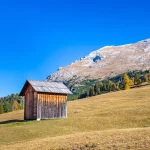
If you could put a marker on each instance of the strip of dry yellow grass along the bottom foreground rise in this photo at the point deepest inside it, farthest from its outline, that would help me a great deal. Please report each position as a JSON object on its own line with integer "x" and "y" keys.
{"x": 136, "y": 138}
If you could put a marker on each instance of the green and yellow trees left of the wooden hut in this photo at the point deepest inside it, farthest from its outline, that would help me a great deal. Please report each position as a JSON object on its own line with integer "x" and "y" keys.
{"x": 10, "y": 103}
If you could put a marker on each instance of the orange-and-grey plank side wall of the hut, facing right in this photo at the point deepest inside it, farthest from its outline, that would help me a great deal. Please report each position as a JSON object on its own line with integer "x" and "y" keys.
{"x": 51, "y": 106}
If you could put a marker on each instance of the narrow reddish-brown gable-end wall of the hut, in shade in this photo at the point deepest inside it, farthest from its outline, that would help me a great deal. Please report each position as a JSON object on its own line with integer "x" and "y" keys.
{"x": 30, "y": 110}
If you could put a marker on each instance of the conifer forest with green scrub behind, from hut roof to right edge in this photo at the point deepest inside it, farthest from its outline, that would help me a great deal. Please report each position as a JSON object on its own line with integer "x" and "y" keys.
{"x": 125, "y": 81}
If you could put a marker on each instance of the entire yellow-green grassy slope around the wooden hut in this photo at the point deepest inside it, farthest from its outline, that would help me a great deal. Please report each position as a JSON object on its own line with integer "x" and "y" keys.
{"x": 110, "y": 121}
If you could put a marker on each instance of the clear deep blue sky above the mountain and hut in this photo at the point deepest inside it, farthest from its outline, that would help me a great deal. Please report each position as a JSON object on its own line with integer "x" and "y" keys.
{"x": 36, "y": 37}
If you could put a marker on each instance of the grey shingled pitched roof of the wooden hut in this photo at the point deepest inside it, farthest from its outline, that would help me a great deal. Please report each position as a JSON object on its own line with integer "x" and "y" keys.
{"x": 46, "y": 87}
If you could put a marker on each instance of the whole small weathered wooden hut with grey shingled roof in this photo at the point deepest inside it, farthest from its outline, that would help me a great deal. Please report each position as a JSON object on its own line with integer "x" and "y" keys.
{"x": 44, "y": 100}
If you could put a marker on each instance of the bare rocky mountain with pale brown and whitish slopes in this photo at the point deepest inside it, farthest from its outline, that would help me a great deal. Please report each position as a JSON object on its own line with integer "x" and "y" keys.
{"x": 108, "y": 61}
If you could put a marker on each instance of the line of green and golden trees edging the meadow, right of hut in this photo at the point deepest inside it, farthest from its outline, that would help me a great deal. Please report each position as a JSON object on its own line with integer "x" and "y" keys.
{"x": 121, "y": 82}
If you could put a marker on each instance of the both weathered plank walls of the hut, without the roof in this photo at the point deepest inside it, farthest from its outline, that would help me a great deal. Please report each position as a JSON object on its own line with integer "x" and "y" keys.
{"x": 44, "y": 105}
